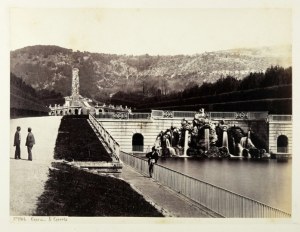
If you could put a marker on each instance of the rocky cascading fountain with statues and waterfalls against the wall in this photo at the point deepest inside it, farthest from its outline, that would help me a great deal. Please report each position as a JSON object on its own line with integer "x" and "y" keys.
{"x": 204, "y": 139}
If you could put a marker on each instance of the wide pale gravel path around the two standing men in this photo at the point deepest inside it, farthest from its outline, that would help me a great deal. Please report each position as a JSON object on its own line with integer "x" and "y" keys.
{"x": 27, "y": 178}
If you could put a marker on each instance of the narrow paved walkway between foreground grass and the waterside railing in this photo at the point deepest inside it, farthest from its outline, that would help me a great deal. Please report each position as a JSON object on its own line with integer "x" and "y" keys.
{"x": 168, "y": 201}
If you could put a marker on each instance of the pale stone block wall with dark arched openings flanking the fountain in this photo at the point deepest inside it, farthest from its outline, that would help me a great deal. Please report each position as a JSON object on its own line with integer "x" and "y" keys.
{"x": 123, "y": 131}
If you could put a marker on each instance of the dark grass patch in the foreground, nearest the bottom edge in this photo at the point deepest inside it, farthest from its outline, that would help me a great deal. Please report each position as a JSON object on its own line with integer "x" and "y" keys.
{"x": 73, "y": 192}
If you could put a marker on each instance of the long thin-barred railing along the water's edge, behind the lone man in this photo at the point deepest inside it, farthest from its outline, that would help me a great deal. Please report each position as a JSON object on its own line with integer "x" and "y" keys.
{"x": 219, "y": 200}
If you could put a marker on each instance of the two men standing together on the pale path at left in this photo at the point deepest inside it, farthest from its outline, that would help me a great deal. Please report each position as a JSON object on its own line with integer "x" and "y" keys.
{"x": 30, "y": 141}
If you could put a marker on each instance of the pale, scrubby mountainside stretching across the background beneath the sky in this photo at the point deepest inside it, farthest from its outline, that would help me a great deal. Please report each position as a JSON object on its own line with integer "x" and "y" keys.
{"x": 102, "y": 75}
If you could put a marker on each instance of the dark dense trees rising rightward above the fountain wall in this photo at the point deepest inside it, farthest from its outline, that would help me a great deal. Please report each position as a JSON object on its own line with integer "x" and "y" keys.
{"x": 274, "y": 86}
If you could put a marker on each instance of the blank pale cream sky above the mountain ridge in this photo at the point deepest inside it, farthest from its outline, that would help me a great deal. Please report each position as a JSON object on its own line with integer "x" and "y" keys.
{"x": 160, "y": 31}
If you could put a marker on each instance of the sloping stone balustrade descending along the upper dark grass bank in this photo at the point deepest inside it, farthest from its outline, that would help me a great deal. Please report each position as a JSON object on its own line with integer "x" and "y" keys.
{"x": 108, "y": 139}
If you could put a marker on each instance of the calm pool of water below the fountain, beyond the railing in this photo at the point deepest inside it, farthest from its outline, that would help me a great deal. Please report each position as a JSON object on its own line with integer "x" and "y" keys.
{"x": 266, "y": 181}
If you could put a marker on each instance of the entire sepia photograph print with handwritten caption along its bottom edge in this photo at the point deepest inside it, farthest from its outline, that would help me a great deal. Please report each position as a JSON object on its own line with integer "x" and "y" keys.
{"x": 149, "y": 113}
